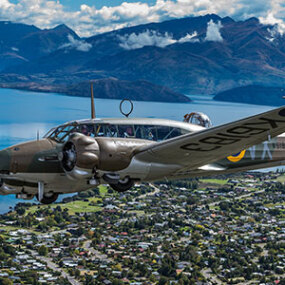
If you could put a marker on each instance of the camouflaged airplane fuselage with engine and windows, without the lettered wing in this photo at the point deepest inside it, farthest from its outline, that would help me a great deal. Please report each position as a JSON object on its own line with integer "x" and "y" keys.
{"x": 93, "y": 158}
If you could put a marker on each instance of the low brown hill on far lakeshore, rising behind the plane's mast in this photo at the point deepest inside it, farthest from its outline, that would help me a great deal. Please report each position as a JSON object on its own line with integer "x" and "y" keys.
{"x": 108, "y": 88}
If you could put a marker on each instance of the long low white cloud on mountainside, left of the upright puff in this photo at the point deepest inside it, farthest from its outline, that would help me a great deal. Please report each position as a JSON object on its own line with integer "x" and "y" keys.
{"x": 152, "y": 38}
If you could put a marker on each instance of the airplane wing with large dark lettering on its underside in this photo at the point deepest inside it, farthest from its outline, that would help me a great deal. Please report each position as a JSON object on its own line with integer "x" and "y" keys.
{"x": 195, "y": 150}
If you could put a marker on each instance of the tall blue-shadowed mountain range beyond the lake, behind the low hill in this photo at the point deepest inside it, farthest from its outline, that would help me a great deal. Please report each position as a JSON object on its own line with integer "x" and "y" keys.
{"x": 198, "y": 55}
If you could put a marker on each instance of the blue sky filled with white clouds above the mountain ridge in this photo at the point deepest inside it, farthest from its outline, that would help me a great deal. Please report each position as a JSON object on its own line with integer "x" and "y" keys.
{"x": 90, "y": 17}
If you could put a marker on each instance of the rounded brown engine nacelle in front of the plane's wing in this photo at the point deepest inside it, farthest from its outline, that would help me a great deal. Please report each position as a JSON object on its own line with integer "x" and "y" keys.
{"x": 82, "y": 154}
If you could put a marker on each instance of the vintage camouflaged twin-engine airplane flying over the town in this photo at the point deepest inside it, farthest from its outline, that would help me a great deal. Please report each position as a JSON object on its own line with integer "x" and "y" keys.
{"x": 77, "y": 155}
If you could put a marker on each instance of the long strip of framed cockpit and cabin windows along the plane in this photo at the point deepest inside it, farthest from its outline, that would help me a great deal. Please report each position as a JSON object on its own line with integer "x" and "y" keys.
{"x": 147, "y": 132}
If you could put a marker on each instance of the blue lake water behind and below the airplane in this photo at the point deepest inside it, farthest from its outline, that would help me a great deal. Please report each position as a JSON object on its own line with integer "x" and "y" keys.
{"x": 23, "y": 114}
